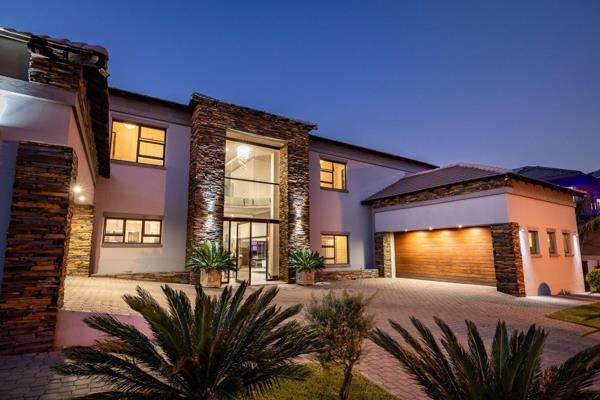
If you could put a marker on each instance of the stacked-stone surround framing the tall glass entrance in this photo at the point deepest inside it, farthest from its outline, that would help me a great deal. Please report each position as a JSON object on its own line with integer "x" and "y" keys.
{"x": 211, "y": 119}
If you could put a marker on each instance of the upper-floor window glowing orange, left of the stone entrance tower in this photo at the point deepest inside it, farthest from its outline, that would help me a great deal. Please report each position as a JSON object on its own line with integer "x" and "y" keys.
{"x": 137, "y": 143}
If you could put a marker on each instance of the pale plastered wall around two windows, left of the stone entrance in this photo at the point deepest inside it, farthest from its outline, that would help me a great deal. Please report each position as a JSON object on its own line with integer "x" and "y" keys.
{"x": 145, "y": 191}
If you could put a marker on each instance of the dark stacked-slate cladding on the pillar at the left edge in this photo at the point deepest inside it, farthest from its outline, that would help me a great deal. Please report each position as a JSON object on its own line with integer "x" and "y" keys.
{"x": 34, "y": 266}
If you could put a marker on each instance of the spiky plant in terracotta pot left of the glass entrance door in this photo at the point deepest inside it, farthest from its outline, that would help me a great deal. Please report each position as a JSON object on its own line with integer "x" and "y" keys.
{"x": 210, "y": 259}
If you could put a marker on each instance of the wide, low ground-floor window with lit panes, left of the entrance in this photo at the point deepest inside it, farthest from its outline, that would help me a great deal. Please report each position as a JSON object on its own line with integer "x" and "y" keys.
{"x": 131, "y": 230}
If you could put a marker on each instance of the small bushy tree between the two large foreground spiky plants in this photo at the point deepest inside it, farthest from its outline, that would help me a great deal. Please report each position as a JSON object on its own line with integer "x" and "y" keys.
{"x": 342, "y": 323}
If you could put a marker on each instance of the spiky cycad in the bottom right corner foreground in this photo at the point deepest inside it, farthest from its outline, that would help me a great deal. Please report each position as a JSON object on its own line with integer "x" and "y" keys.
{"x": 510, "y": 370}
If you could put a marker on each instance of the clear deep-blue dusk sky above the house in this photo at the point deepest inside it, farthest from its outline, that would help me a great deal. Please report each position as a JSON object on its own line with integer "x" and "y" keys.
{"x": 501, "y": 83}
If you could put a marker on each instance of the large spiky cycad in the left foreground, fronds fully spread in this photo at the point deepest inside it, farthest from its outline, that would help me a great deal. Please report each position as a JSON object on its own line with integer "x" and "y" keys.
{"x": 222, "y": 348}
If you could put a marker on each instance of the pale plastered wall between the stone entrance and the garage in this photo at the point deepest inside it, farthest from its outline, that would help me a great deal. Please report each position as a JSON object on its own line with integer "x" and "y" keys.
{"x": 342, "y": 212}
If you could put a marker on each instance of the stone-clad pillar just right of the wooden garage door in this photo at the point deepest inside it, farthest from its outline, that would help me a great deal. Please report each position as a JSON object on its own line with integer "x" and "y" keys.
{"x": 507, "y": 259}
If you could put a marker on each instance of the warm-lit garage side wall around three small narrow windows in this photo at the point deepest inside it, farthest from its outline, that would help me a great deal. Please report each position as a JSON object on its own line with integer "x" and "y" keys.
{"x": 545, "y": 272}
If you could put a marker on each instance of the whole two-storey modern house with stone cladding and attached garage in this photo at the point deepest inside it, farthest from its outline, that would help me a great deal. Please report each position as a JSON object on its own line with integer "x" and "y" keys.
{"x": 98, "y": 181}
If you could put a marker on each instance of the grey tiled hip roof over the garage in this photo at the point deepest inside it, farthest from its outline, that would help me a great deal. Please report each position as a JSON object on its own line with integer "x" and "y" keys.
{"x": 450, "y": 175}
